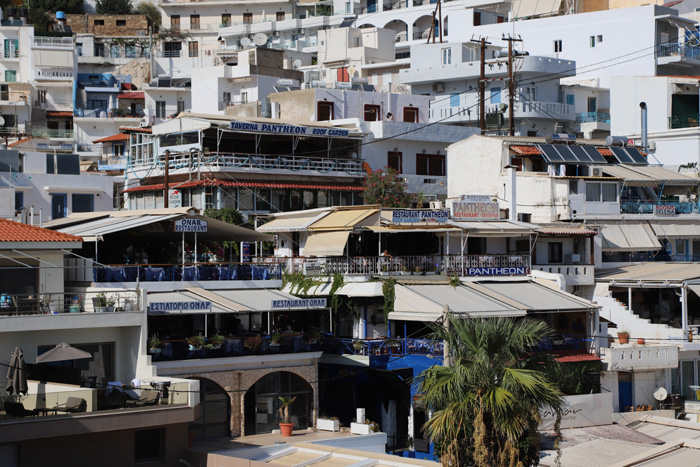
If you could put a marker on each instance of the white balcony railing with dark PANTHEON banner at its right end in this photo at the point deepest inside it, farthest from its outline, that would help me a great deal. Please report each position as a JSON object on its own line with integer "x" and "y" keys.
{"x": 412, "y": 265}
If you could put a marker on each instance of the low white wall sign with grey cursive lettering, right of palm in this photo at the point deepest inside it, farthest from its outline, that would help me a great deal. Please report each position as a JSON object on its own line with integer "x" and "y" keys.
{"x": 580, "y": 411}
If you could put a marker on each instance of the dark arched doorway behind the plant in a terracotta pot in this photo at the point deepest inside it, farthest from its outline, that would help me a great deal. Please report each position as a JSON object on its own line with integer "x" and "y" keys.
{"x": 261, "y": 402}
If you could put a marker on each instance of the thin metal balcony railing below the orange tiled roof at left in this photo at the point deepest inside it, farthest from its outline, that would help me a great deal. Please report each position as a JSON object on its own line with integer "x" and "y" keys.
{"x": 69, "y": 302}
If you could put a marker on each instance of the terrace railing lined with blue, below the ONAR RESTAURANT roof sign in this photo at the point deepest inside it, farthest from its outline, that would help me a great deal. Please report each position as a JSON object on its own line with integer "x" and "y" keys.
{"x": 193, "y": 272}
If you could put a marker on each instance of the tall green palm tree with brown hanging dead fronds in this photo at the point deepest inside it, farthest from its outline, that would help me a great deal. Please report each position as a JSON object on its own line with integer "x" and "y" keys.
{"x": 485, "y": 405}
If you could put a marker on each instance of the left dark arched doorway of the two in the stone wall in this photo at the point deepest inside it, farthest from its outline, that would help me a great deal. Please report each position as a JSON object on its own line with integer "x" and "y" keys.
{"x": 214, "y": 420}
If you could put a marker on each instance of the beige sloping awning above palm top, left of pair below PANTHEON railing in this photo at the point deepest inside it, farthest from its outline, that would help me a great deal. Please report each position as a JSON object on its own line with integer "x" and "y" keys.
{"x": 425, "y": 303}
